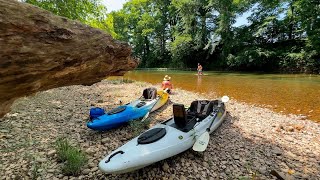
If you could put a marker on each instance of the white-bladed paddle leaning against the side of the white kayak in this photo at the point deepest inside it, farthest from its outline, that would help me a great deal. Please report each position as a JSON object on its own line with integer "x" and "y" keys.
{"x": 202, "y": 142}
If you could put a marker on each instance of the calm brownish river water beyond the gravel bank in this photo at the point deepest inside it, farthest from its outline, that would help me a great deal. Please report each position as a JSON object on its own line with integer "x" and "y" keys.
{"x": 287, "y": 93}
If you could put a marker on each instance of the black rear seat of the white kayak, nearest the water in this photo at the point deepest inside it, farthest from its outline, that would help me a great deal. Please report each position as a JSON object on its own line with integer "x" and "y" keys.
{"x": 201, "y": 109}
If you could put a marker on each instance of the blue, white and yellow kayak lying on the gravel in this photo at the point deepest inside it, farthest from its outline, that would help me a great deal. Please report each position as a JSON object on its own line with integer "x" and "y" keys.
{"x": 150, "y": 101}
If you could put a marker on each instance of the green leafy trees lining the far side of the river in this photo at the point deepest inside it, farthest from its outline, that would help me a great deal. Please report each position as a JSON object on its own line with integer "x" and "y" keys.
{"x": 281, "y": 35}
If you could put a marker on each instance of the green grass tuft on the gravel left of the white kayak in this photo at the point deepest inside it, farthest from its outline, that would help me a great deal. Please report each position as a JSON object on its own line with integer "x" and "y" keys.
{"x": 72, "y": 157}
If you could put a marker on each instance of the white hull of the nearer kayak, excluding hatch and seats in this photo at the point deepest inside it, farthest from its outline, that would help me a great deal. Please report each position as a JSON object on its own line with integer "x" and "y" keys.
{"x": 175, "y": 141}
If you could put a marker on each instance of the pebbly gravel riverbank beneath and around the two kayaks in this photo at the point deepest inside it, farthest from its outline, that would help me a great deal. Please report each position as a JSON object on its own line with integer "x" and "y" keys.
{"x": 250, "y": 143}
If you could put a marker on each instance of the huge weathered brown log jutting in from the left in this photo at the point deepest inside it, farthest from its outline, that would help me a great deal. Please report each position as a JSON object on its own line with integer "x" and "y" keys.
{"x": 40, "y": 51}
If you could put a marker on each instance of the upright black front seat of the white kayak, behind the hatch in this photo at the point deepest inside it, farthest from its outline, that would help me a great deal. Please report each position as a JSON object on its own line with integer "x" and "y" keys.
{"x": 183, "y": 121}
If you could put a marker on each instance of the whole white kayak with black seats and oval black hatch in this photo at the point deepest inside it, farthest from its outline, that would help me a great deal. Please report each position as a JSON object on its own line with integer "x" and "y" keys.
{"x": 167, "y": 139}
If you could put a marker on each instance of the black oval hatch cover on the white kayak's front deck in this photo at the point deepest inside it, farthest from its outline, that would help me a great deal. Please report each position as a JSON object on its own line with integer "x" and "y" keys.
{"x": 152, "y": 135}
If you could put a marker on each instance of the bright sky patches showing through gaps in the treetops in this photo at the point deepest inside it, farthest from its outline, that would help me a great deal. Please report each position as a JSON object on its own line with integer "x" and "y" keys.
{"x": 113, "y": 5}
